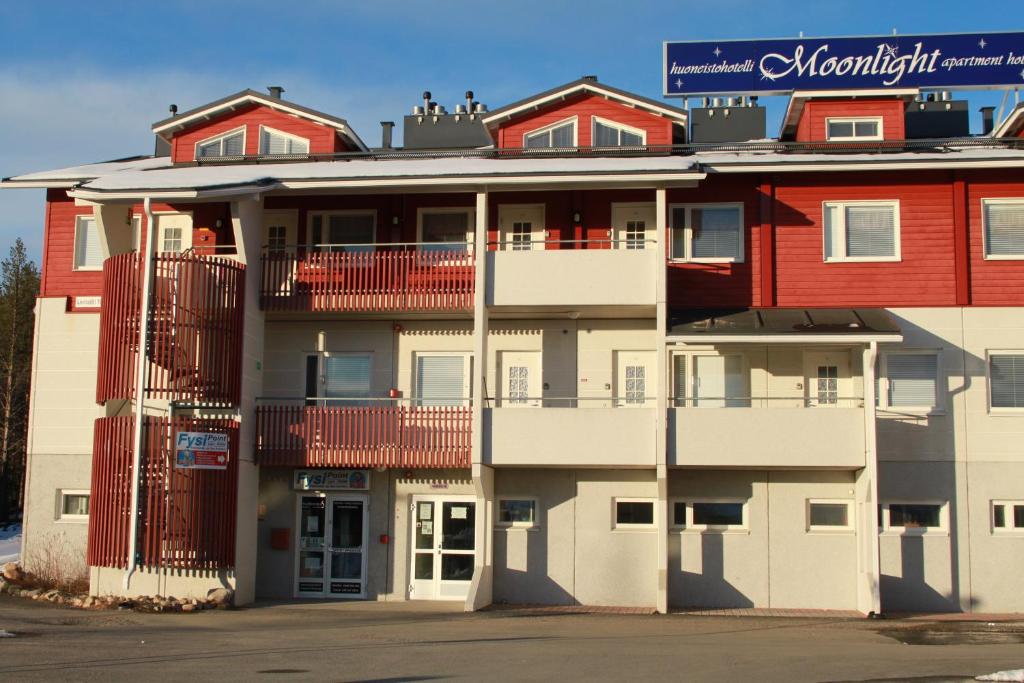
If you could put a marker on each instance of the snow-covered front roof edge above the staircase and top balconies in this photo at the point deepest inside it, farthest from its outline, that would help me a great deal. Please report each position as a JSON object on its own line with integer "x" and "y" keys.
{"x": 437, "y": 172}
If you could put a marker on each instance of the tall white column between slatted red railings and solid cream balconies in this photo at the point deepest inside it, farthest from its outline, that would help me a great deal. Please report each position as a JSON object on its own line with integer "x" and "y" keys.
{"x": 482, "y": 589}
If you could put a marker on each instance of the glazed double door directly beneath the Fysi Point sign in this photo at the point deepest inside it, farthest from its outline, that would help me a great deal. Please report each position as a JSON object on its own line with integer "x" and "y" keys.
{"x": 332, "y": 546}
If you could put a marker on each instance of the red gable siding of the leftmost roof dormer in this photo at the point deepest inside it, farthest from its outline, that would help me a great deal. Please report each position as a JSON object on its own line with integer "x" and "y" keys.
{"x": 322, "y": 138}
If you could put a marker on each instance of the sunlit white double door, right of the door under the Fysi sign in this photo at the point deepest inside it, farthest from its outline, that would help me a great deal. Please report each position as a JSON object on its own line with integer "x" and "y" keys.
{"x": 444, "y": 547}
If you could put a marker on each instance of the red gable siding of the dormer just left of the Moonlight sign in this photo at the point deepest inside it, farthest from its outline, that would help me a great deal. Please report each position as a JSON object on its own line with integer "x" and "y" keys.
{"x": 585, "y": 107}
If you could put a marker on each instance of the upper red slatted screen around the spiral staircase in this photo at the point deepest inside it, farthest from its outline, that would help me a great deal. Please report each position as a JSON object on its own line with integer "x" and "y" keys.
{"x": 195, "y": 341}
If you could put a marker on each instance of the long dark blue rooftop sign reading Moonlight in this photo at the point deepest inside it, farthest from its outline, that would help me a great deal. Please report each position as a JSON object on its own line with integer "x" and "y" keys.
{"x": 782, "y": 66}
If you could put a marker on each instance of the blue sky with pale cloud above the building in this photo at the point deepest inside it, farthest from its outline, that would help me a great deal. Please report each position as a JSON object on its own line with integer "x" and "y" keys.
{"x": 83, "y": 81}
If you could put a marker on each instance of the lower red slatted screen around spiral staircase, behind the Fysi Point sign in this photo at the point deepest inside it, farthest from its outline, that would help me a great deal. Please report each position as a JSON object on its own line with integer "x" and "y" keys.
{"x": 187, "y": 518}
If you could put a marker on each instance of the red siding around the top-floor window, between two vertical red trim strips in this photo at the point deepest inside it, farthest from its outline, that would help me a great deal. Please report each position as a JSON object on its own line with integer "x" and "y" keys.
{"x": 924, "y": 277}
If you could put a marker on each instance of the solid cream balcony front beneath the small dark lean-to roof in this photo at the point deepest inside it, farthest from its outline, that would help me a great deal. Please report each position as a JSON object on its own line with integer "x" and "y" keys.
{"x": 767, "y": 434}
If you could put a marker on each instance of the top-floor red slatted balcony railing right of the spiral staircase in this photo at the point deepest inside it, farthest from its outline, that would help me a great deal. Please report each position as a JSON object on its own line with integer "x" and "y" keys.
{"x": 370, "y": 281}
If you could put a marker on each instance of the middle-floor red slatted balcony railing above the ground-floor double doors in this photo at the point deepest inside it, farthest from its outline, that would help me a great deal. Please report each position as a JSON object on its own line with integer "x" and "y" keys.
{"x": 385, "y": 436}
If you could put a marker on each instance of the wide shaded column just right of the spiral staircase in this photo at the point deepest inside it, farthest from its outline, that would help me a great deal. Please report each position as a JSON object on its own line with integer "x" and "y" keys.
{"x": 247, "y": 224}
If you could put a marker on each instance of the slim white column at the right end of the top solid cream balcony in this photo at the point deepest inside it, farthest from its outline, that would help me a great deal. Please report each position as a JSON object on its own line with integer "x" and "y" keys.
{"x": 662, "y": 399}
